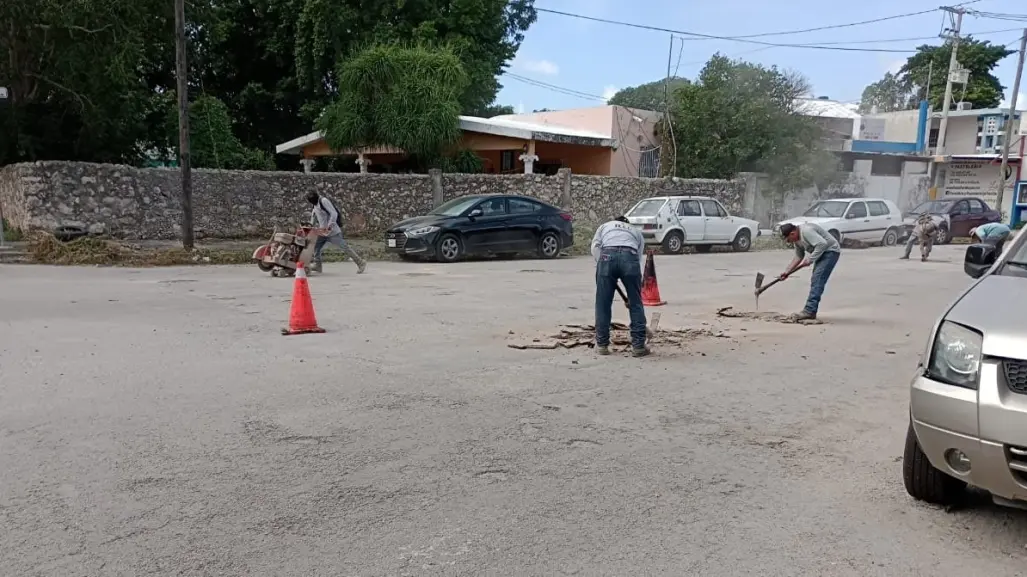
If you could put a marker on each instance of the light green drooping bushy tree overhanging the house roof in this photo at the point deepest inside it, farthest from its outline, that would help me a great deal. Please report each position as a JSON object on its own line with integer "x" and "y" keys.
{"x": 406, "y": 97}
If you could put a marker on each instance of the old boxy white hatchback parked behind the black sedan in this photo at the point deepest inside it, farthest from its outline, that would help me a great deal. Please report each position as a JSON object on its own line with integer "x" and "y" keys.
{"x": 675, "y": 222}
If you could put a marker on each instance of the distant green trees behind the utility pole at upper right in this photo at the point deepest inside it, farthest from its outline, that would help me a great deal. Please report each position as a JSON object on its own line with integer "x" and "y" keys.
{"x": 905, "y": 90}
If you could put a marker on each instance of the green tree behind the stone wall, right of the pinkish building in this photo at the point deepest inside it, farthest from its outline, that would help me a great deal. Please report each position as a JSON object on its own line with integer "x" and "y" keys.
{"x": 743, "y": 118}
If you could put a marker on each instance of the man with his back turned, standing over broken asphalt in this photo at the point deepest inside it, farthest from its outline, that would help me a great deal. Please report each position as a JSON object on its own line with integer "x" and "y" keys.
{"x": 619, "y": 250}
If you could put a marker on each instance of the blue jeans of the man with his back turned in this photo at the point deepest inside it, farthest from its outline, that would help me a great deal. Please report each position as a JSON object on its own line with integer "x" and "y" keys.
{"x": 620, "y": 265}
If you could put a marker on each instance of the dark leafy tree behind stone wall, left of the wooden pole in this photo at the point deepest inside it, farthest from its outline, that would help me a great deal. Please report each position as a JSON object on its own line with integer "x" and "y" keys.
{"x": 73, "y": 73}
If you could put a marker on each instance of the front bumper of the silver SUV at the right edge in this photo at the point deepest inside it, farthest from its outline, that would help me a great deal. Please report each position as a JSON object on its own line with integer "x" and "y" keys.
{"x": 947, "y": 418}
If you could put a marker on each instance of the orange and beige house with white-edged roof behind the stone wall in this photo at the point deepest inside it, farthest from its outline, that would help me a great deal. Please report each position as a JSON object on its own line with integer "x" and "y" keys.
{"x": 606, "y": 141}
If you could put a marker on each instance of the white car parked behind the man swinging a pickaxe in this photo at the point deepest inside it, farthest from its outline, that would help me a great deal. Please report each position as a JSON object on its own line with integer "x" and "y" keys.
{"x": 866, "y": 220}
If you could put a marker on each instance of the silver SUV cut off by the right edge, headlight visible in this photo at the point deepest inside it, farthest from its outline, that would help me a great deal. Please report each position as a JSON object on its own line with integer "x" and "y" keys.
{"x": 969, "y": 396}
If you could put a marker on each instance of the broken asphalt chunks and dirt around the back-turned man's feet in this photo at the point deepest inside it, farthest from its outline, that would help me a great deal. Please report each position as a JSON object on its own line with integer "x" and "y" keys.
{"x": 573, "y": 336}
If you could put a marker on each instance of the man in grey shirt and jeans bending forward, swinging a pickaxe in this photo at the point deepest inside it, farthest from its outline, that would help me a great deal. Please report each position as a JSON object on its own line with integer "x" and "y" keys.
{"x": 815, "y": 247}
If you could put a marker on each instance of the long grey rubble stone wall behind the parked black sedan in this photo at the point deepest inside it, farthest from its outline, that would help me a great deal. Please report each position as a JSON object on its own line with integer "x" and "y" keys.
{"x": 144, "y": 203}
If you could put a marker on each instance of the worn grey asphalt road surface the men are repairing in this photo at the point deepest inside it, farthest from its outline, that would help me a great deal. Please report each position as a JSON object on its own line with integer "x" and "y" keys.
{"x": 155, "y": 422}
